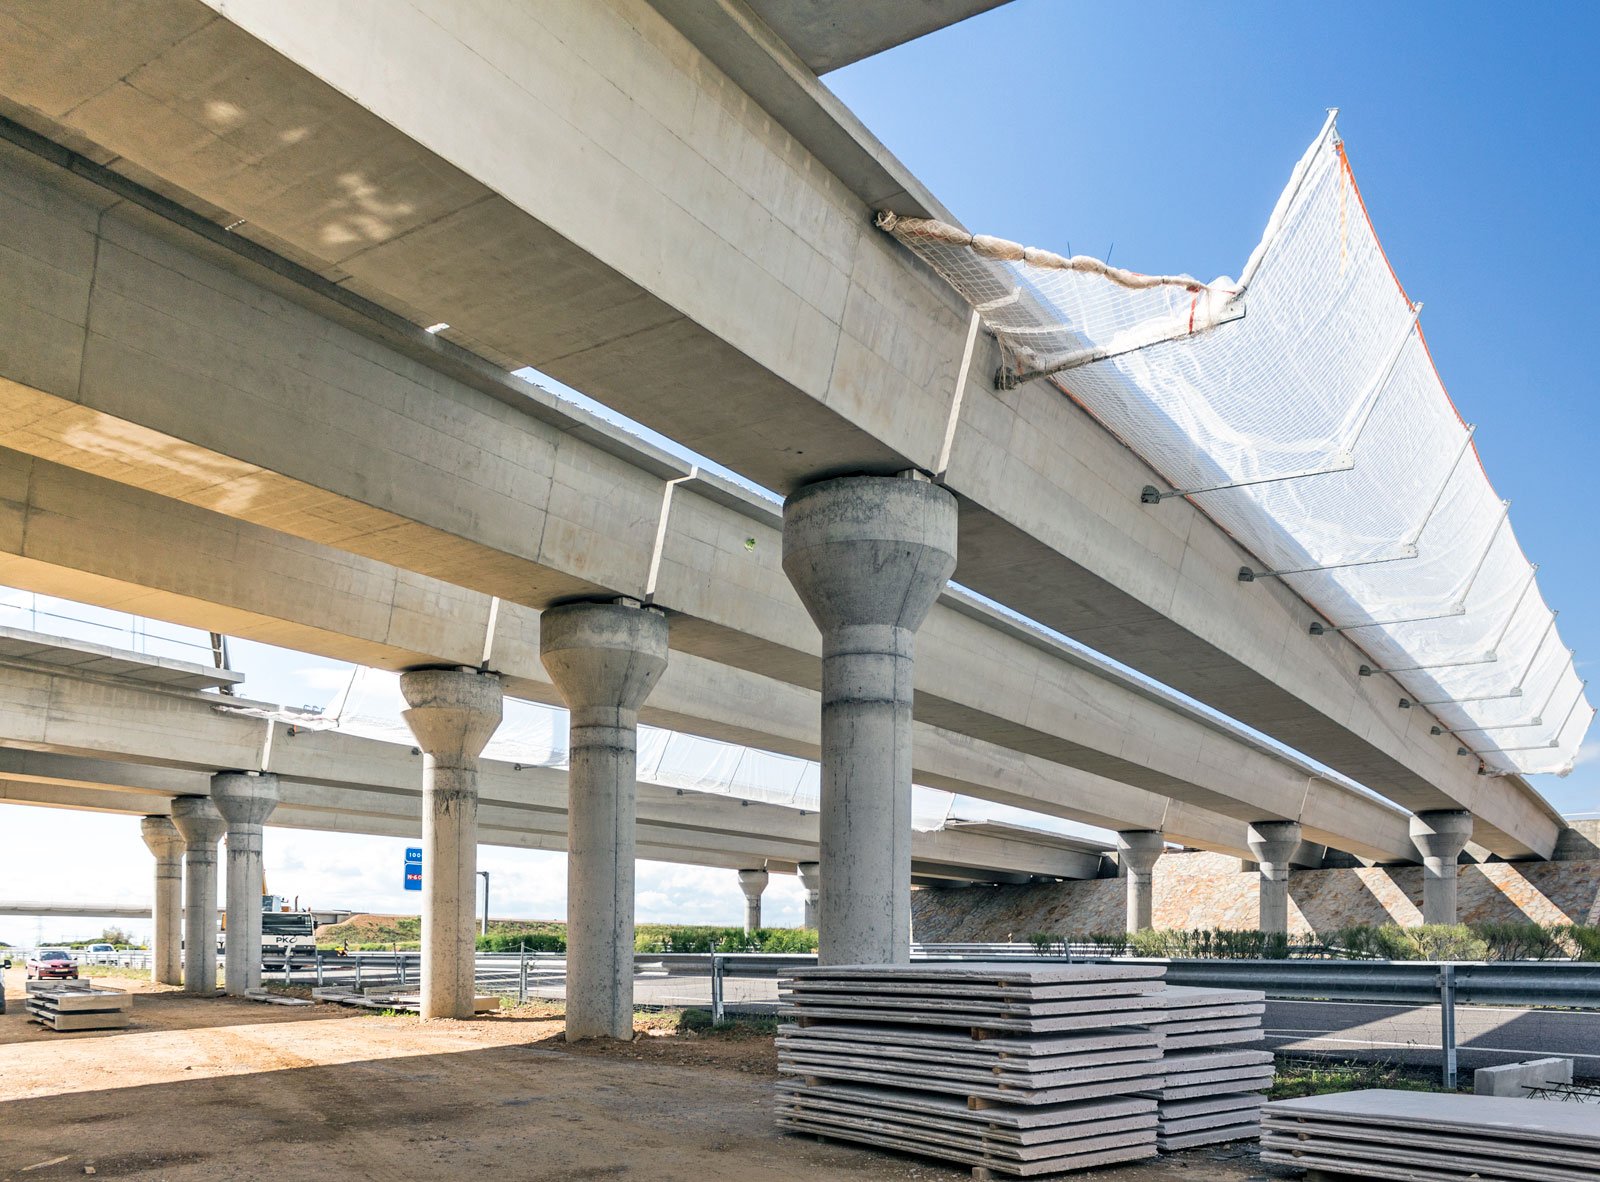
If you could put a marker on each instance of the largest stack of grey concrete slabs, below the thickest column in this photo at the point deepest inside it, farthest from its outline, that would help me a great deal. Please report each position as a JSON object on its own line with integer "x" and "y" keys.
{"x": 1010, "y": 1069}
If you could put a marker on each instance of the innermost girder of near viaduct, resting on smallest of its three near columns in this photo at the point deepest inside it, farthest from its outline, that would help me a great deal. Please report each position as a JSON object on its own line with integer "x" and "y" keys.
{"x": 122, "y": 548}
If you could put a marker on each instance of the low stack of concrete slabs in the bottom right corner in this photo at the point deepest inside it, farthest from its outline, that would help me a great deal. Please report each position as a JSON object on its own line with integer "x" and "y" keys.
{"x": 1434, "y": 1138}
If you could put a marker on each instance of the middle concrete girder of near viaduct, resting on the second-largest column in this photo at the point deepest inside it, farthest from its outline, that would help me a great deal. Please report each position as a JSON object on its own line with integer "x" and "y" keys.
{"x": 762, "y": 626}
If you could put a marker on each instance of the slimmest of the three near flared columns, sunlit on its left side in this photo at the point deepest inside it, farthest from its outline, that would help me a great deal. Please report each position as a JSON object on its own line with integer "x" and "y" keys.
{"x": 452, "y": 714}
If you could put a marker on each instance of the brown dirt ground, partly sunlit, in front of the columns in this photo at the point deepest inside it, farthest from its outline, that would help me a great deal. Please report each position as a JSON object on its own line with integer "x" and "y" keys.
{"x": 212, "y": 1088}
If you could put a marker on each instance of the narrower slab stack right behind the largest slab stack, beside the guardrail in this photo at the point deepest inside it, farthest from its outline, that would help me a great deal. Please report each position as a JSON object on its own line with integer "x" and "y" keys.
{"x": 1214, "y": 1084}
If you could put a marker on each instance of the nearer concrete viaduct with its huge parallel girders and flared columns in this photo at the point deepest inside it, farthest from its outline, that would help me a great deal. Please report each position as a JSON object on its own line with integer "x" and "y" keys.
{"x": 228, "y": 236}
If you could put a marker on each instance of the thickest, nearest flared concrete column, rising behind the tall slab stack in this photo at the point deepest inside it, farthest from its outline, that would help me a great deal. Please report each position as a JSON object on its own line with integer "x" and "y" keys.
{"x": 868, "y": 556}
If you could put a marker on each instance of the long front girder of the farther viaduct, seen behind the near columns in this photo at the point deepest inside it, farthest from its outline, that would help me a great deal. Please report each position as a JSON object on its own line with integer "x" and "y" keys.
{"x": 86, "y": 735}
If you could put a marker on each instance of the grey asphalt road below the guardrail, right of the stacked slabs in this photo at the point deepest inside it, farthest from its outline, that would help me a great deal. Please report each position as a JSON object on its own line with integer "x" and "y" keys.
{"x": 1486, "y": 1036}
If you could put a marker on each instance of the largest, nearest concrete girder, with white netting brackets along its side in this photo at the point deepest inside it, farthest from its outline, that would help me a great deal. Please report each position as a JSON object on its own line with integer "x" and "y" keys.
{"x": 1050, "y": 522}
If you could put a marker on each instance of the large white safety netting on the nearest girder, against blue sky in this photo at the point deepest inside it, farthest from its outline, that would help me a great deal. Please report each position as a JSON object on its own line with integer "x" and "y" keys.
{"x": 1300, "y": 410}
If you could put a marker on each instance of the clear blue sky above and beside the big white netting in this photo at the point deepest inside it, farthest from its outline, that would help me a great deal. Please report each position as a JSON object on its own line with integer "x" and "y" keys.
{"x": 1164, "y": 134}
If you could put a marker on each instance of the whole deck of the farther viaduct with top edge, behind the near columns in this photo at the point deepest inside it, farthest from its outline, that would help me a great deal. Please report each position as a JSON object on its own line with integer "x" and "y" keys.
{"x": 111, "y": 743}
